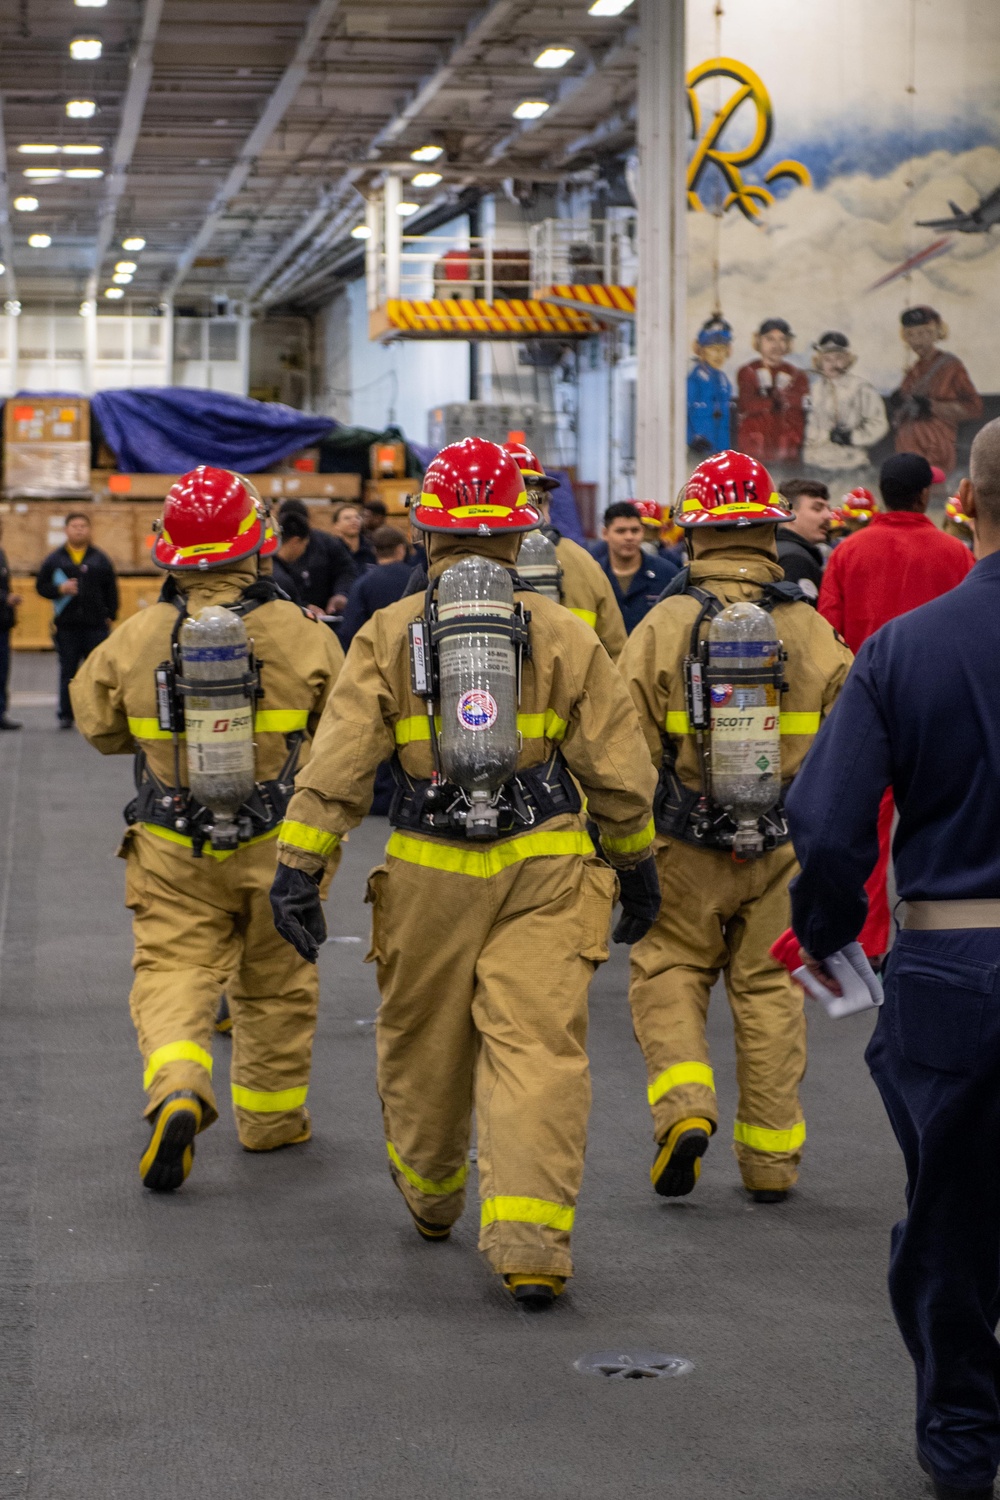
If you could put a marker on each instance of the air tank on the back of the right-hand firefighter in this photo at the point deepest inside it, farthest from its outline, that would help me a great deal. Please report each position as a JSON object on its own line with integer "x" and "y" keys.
{"x": 744, "y": 656}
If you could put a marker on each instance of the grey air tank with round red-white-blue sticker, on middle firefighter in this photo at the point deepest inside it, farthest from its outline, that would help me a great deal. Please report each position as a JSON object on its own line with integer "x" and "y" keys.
{"x": 478, "y": 668}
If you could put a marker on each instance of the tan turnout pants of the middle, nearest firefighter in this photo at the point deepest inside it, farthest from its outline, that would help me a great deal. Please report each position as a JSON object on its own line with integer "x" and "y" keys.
{"x": 485, "y": 986}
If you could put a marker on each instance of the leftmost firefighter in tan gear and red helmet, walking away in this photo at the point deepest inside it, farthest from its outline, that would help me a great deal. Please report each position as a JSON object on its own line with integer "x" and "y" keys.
{"x": 217, "y": 691}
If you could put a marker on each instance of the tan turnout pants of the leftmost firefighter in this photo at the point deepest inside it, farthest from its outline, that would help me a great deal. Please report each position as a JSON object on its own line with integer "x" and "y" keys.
{"x": 205, "y": 926}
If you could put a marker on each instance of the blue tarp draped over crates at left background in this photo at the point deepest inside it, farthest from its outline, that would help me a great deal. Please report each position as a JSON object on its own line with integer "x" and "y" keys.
{"x": 172, "y": 430}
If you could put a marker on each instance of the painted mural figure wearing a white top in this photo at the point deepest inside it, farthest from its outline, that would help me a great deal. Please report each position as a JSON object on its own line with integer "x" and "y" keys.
{"x": 846, "y": 413}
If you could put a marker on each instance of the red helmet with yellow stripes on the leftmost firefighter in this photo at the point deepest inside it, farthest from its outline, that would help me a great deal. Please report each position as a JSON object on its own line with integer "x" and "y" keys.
{"x": 212, "y": 518}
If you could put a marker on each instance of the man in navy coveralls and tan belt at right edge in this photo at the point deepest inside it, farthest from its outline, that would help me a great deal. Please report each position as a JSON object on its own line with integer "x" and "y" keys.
{"x": 921, "y": 713}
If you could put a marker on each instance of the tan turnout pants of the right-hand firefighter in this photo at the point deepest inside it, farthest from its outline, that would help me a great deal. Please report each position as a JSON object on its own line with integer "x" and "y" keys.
{"x": 720, "y": 917}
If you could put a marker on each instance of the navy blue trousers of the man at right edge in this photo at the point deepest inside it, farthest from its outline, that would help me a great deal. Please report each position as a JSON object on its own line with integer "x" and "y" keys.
{"x": 936, "y": 1061}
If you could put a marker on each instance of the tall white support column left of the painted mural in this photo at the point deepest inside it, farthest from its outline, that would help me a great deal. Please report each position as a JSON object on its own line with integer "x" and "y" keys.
{"x": 662, "y": 299}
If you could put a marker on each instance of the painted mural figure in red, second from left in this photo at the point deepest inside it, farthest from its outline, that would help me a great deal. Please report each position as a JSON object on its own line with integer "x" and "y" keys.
{"x": 773, "y": 397}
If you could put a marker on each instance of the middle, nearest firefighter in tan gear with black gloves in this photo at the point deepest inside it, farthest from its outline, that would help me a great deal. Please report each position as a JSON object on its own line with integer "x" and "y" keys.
{"x": 493, "y": 911}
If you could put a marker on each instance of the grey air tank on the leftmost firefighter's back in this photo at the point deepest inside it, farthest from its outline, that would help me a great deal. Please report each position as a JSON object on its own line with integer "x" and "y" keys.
{"x": 220, "y": 722}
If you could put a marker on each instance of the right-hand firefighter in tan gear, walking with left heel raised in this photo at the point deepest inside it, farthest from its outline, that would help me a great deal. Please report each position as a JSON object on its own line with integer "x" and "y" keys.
{"x": 728, "y": 724}
